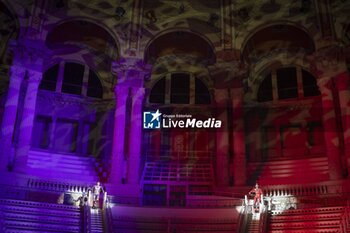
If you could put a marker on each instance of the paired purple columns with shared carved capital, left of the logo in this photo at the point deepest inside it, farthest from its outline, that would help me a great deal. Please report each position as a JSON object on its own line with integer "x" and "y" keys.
{"x": 125, "y": 169}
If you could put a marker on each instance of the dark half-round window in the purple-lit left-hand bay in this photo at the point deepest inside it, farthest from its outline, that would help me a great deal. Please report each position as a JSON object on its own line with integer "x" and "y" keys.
{"x": 72, "y": 79}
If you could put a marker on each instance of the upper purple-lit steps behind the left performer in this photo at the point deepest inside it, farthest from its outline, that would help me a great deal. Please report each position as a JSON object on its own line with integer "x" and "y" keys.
{"x": 62, "y": 166}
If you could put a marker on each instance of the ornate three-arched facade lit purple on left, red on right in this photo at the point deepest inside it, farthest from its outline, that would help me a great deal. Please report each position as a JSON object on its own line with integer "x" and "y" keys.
{"x": 76, "y": 79}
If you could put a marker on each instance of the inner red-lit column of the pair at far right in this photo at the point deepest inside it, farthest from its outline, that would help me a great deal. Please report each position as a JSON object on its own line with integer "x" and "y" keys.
{"x": 330, "y": 129}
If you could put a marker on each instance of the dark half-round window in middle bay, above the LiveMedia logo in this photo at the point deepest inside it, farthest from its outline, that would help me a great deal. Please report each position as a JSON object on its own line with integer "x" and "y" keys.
{"x": 183, "y": 88}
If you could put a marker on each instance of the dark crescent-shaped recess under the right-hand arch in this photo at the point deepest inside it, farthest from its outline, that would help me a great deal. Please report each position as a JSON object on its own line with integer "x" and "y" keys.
{"x": 277, "y": 36}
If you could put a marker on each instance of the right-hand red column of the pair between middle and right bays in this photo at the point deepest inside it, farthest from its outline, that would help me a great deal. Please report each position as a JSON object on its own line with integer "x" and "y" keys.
{"x": 239, "y": 156}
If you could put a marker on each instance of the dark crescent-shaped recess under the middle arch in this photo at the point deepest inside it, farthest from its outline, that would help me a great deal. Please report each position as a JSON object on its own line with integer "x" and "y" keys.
{"x": 174, "y": 42}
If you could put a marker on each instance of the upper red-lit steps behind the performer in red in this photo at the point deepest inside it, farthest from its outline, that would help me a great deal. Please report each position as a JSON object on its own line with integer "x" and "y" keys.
{"x": 310, "y": 170}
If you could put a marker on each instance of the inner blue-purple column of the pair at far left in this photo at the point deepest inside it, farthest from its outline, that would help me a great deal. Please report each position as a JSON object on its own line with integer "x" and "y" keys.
{"x": 26, "y": 126}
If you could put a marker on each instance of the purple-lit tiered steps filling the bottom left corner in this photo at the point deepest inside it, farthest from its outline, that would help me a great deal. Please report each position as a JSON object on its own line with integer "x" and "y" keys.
{"x": 25, "y": 216}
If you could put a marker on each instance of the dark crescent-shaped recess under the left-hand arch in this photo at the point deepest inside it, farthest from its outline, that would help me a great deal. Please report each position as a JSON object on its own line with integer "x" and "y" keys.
{"x": 93, "y": 35}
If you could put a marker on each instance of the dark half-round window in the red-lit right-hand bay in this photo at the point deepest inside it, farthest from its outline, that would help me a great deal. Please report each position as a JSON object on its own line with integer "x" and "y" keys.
{"x": 287, "y": 83}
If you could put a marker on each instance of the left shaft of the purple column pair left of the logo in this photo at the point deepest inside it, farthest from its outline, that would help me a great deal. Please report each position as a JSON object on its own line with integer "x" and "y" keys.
{"x": 117, "y": 169}
